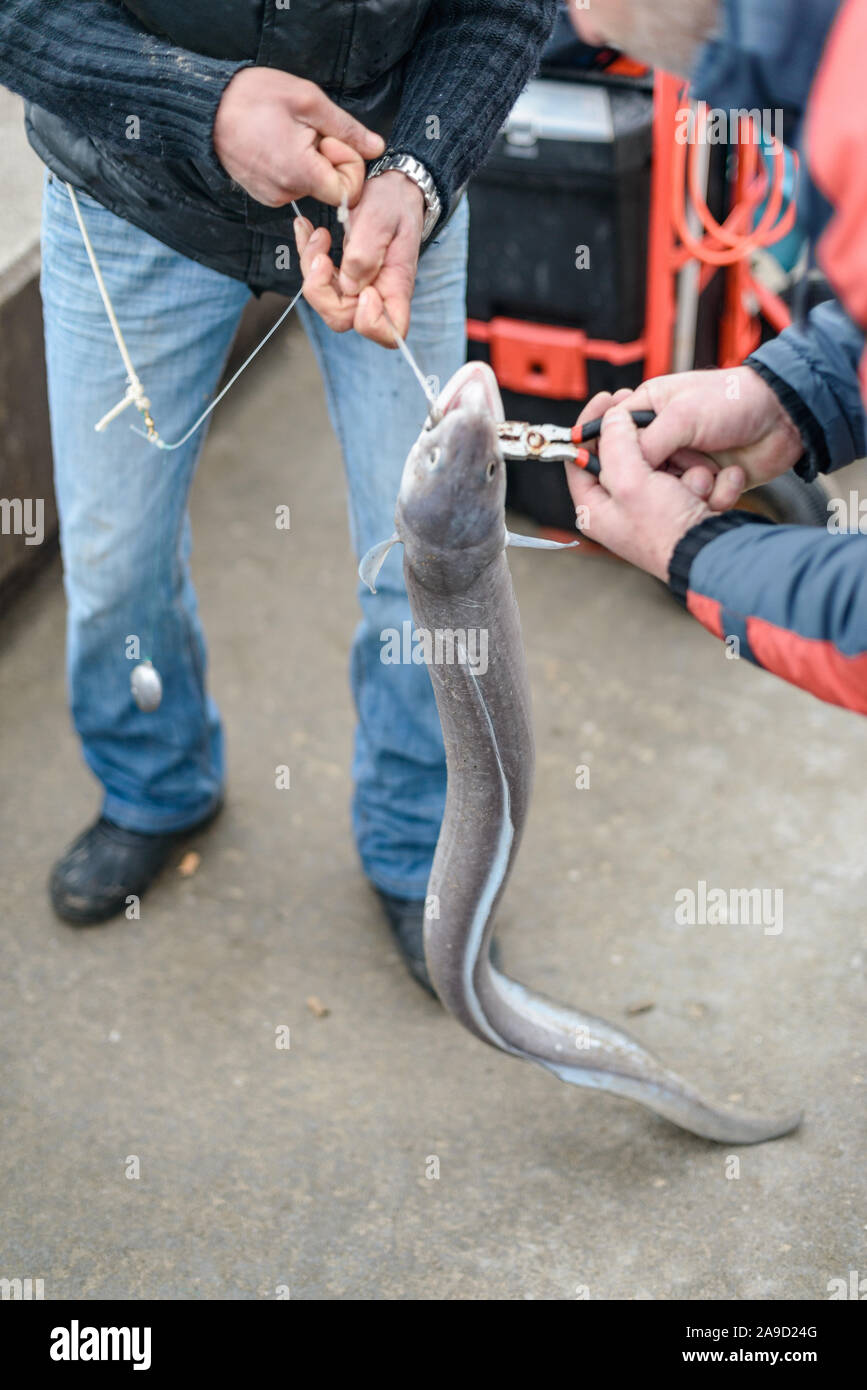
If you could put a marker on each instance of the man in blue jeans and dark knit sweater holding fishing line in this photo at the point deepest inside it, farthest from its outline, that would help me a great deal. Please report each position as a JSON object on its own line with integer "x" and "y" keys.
{"x": 187, "y": 131}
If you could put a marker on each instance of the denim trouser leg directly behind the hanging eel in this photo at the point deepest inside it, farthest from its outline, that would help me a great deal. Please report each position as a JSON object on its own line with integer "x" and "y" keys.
{"x": 379, "y": 411}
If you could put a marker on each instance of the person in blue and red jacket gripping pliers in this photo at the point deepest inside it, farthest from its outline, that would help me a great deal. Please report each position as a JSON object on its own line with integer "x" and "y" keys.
{"x": 795, "y": 598}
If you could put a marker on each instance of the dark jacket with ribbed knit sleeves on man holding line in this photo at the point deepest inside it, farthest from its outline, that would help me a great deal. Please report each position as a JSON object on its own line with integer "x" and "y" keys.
{"x": 123, "y": 97}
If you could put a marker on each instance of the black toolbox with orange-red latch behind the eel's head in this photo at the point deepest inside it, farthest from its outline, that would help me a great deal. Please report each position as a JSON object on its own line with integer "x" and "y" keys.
{"x": 558, "y": 258}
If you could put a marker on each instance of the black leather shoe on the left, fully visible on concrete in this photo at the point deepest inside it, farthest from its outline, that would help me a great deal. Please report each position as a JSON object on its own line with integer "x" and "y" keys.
{"x": 108, "y": 865}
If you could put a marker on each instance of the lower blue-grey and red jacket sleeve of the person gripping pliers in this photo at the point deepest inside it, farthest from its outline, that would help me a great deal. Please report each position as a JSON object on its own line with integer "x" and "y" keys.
{"x": 794, "y": 597}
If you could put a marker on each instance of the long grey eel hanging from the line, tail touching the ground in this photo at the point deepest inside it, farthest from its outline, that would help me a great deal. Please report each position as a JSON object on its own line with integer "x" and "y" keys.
{"x": 451, "y": 519}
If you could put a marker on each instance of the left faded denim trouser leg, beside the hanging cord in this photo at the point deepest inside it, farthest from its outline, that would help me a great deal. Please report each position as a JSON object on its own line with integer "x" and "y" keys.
{"x": 123, "y": 505}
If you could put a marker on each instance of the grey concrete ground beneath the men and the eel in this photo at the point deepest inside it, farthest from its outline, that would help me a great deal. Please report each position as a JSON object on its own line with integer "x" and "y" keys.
{"x": 308, "y": 1167}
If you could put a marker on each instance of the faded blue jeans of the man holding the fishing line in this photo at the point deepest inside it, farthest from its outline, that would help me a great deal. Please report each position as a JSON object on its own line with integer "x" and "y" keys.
{"x": 126, "y": 532}
